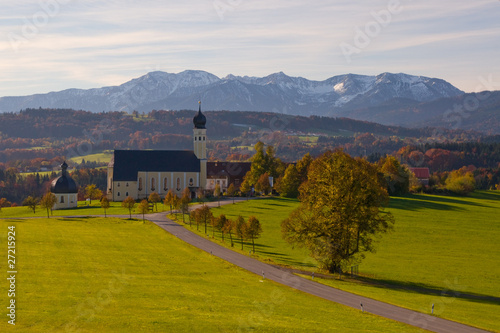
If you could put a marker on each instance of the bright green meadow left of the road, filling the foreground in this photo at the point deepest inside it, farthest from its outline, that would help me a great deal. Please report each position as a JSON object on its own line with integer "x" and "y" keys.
{"x": 113, "y": 275}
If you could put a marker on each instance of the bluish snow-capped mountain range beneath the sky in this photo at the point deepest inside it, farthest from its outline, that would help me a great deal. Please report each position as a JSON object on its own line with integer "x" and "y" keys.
{"x": 338, "y": 95}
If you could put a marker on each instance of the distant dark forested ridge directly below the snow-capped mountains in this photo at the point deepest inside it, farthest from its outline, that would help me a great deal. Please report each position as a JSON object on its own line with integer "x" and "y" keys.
{"x": 63, "y": 124}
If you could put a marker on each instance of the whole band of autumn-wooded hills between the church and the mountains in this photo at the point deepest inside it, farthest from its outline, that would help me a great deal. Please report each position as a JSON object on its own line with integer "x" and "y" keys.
{"x": 35, "y": 138}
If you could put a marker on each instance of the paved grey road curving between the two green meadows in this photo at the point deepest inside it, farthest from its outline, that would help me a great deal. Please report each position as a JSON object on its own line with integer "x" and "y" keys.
{"x": 382, "y": 309}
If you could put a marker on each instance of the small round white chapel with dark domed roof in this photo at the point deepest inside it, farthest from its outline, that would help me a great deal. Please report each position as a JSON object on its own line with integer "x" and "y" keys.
{"x": 65, "y": 190}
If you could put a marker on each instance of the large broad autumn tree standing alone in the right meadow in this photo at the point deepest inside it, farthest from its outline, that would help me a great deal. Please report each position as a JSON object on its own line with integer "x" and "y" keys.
{"x": 341, "y": 210}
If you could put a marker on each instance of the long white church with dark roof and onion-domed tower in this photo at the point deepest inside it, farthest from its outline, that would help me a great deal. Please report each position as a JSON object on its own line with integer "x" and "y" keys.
{"x": 138, "y": 173}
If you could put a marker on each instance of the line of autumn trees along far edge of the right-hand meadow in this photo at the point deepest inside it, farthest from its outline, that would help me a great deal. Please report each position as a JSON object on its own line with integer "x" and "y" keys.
{"x": 397, "y": 176}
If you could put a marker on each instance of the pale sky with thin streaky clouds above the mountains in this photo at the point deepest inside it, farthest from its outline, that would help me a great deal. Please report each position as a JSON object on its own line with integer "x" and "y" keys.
{"x": 52, "y": 45}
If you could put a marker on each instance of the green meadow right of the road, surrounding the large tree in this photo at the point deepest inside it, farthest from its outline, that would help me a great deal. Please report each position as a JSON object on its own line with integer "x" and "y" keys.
{"x": 443, "y": 251}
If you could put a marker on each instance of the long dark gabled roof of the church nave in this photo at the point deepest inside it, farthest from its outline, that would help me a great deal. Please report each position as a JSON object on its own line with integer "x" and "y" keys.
{"x": 127, "y": 163}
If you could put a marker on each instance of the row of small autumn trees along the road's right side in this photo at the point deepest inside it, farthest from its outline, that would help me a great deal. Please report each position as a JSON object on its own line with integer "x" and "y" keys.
{"x": 244, "y": 230}
